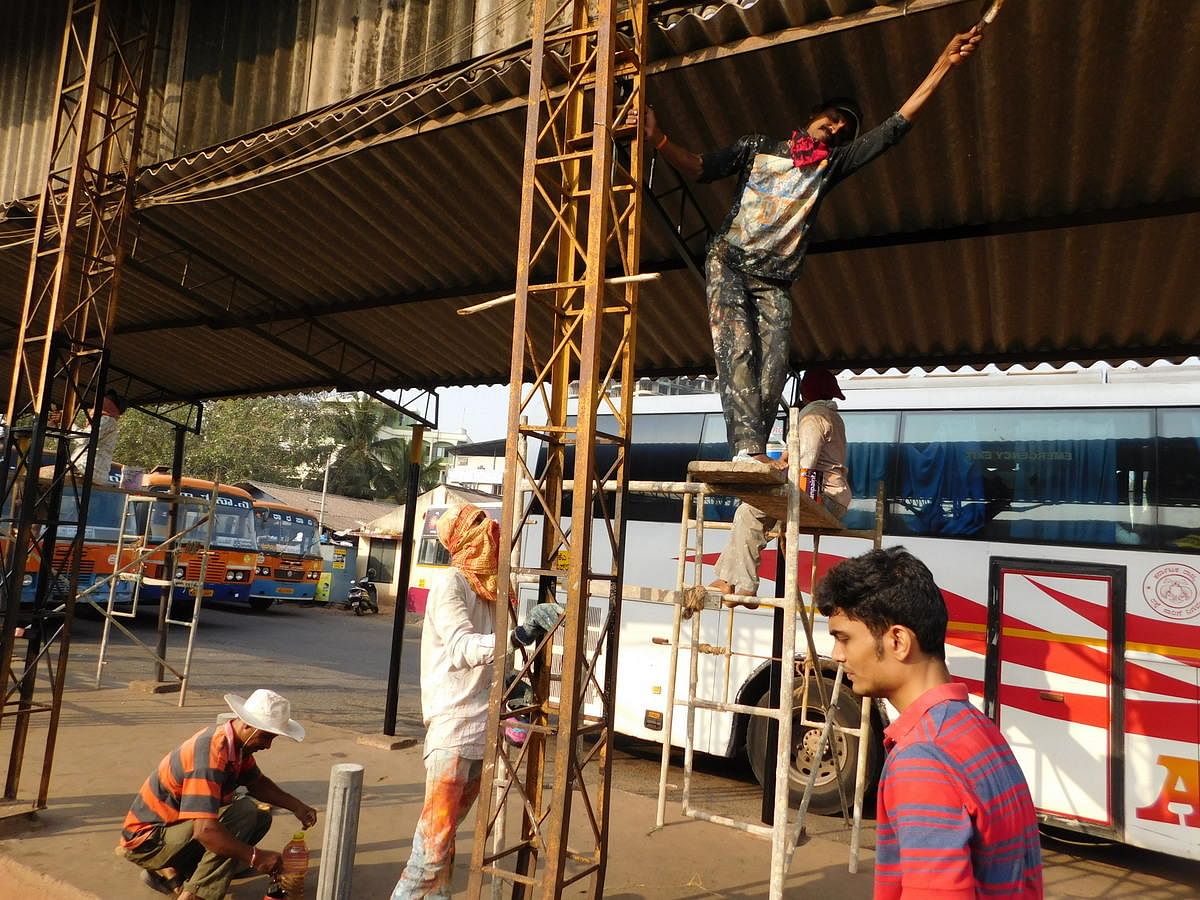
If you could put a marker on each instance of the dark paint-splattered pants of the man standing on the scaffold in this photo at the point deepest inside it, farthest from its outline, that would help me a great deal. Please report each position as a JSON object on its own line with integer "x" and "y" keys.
{"x": 752, "y": 321}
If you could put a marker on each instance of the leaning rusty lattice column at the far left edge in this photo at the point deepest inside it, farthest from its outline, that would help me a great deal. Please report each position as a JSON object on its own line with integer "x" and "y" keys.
{"x": 62, "y": 357}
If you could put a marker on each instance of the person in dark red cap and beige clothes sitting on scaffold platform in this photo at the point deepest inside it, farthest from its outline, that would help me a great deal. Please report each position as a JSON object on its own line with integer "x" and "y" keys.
{"x": 823, "y": 451}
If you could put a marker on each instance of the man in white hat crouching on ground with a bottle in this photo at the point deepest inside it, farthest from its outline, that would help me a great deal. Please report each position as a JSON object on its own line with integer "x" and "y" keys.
{"x": 185, "y": 829}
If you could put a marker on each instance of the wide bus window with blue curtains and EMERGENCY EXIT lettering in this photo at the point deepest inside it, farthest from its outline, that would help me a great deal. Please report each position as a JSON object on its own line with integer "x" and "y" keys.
{"x": 1055, "y": 477}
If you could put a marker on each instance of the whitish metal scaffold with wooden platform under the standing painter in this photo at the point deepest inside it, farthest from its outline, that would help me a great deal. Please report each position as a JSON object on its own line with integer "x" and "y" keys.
{"x": 781, "y": 496}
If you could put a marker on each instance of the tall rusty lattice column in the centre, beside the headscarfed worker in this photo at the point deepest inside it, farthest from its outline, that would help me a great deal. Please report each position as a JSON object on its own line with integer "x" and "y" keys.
{"x": 580, "y": 215}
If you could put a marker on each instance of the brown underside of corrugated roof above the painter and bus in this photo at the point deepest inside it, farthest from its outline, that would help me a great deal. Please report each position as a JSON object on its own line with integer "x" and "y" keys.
{"x": 1047, "y": 206}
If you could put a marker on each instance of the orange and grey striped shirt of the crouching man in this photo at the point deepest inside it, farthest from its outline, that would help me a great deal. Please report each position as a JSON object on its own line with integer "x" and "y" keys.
{"x": 195, "y": 781}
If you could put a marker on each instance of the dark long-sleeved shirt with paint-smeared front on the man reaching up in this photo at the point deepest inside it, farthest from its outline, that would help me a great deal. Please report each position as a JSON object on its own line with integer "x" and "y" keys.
{"x": 766, "y": 232}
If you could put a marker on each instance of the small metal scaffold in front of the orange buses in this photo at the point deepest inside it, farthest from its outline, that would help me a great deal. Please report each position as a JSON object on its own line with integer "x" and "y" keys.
{"x": 139, "y": 545}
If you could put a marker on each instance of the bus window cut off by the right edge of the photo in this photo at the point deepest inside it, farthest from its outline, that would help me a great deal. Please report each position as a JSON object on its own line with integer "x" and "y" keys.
{"x": 1178, "y": 495}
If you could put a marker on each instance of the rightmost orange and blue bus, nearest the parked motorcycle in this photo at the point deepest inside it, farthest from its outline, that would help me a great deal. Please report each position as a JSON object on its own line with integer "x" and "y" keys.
{"x": 290, "y": 562}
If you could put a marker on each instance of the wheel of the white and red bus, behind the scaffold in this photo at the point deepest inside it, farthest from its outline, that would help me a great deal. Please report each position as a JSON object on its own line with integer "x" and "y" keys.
{"x": 839, "y": 760}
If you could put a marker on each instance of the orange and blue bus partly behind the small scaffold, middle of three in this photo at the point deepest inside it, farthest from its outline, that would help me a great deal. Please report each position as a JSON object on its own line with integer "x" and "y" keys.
{"x": 233, "y": 551}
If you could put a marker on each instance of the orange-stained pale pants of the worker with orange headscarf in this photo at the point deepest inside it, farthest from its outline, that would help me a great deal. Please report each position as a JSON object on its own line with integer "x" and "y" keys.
{"x": 452, "y": 785}
